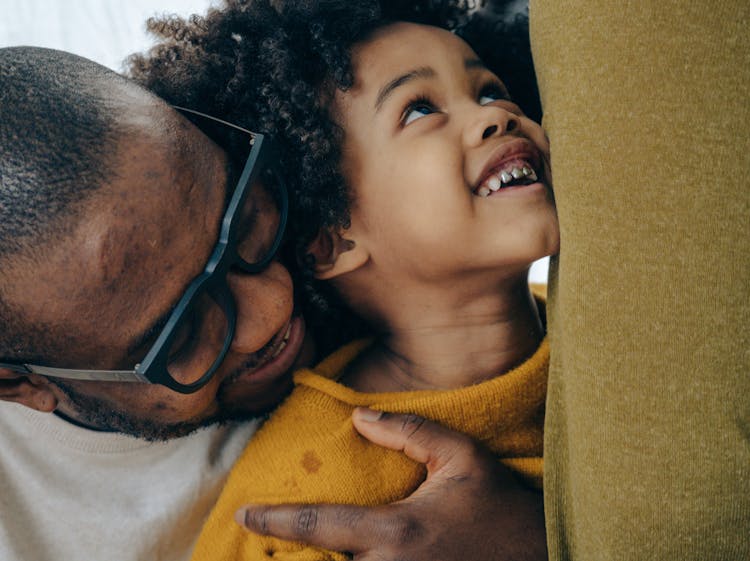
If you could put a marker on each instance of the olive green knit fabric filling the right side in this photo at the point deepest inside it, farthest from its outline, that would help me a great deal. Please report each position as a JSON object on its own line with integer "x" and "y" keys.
{"x": 647, "y": 440}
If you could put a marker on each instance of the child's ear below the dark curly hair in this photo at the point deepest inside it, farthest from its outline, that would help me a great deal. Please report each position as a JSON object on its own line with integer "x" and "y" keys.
{"x": 335, "y": 255}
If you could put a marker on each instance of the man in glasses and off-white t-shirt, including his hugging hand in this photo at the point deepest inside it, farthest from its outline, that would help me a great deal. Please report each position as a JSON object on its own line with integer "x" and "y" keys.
{"x": 111, "y": 207}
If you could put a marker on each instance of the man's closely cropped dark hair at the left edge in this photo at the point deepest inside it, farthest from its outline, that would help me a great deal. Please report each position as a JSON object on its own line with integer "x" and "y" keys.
{"x": 56, "y": 148}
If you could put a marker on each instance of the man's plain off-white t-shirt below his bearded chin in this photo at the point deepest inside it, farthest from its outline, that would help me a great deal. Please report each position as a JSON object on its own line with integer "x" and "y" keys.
{"x": 70, "y": 494}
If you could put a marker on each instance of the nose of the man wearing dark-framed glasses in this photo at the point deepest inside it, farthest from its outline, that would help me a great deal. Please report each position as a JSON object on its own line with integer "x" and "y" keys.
{"x": 264, "y": 303}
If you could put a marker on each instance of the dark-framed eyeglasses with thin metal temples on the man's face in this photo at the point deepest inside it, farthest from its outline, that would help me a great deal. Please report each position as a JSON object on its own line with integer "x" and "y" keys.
{"x": 199, "y": 331}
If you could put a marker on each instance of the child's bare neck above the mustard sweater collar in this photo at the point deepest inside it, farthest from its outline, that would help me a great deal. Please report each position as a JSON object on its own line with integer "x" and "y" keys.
{"x": 452, "y": 348}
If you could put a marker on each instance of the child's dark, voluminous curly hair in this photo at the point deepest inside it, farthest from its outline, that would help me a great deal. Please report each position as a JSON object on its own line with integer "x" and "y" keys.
{"x": 273, "y": 66}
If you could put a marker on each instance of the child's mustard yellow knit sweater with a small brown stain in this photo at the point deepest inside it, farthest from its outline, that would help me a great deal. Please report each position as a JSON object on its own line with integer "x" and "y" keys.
{"x": 309, "y": 451}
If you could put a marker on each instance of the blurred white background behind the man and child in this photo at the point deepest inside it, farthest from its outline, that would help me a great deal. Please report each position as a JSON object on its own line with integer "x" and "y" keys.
{"x": 105, "y": 31}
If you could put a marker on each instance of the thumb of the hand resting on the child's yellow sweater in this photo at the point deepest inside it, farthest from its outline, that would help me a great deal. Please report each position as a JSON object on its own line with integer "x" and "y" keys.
{"x": 443, "y": 451}
